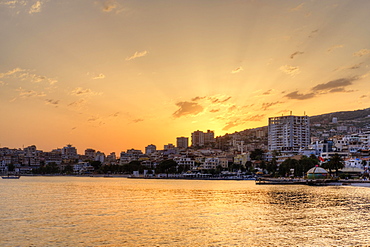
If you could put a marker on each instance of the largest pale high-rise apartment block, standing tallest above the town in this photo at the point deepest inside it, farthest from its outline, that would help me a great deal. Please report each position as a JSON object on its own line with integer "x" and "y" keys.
{"x": 288, "y": 133}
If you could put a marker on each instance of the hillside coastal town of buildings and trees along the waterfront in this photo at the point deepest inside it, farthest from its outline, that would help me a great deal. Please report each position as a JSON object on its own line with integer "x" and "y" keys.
{"x": 288, "y": 147}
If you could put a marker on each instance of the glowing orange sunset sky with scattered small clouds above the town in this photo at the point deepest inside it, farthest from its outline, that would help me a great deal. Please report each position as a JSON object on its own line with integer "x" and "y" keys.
{"x": 114, "y": 75}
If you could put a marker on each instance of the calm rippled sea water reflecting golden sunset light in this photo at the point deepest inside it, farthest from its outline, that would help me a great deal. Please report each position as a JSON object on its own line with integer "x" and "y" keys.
{"x": 74, "y": 211}
